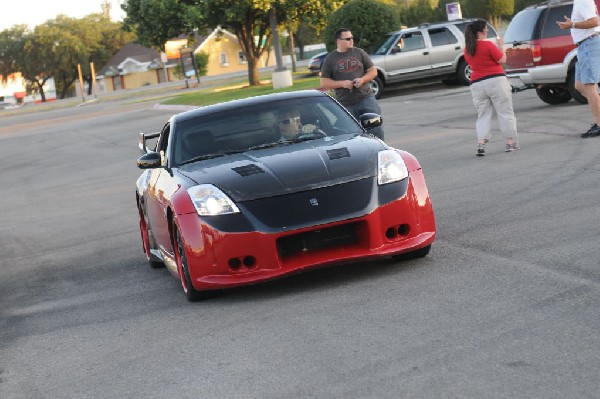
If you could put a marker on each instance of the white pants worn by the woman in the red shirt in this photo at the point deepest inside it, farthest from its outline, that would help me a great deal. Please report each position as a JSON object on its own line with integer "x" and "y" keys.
{"x": 494, "y": 94}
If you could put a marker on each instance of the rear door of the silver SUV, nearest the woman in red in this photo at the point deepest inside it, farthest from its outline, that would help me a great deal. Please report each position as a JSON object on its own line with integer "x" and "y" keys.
{"x": 445, "y": 47}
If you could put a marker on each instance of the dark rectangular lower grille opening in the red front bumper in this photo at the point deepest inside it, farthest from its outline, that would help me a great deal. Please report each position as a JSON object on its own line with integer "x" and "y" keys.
{"x": 316, "y": 240}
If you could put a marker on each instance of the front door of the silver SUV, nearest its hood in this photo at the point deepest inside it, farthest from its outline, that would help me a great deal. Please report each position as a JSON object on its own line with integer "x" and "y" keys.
{"x": 409, "y": 58}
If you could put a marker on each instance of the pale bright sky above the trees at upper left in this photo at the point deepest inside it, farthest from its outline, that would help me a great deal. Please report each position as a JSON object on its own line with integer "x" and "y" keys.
{"x": 36, "y": 12}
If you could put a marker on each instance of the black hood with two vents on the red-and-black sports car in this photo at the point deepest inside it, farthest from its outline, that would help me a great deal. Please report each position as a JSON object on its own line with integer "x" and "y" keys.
{"x": 289, "y": 169}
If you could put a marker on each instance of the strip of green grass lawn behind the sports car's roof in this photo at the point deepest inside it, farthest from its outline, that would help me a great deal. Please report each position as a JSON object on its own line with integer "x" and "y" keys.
{"x": 301, "y": 81}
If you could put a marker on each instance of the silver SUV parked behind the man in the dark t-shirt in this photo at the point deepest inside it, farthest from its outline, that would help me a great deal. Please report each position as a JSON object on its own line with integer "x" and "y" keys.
{"x": 428, "y": 51}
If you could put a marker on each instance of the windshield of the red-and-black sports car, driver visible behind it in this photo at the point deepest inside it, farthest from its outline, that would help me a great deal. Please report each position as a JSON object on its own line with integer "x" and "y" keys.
{"x": 260, "y": 126}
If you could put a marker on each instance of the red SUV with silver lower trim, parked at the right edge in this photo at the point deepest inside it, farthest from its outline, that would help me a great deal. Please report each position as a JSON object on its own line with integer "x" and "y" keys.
{"x": 542, "y": 56}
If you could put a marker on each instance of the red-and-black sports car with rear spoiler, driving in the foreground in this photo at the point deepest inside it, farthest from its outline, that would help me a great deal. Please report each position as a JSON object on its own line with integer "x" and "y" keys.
{"x": 224, "y": 201}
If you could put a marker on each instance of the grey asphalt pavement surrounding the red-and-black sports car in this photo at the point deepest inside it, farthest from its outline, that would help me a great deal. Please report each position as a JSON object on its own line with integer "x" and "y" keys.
{"x": 505, "y": 306}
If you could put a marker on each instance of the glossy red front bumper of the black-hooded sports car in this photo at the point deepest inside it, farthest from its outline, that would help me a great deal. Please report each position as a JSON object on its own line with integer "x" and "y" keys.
{"x": 220, "y": 259}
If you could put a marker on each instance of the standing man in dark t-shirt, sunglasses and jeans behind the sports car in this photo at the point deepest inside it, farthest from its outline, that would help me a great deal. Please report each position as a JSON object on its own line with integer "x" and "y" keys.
{"x": 348, "y": 70}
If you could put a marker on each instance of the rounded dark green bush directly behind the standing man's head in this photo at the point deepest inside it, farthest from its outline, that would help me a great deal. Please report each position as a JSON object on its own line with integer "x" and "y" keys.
{"x": 368, "y": 20}
